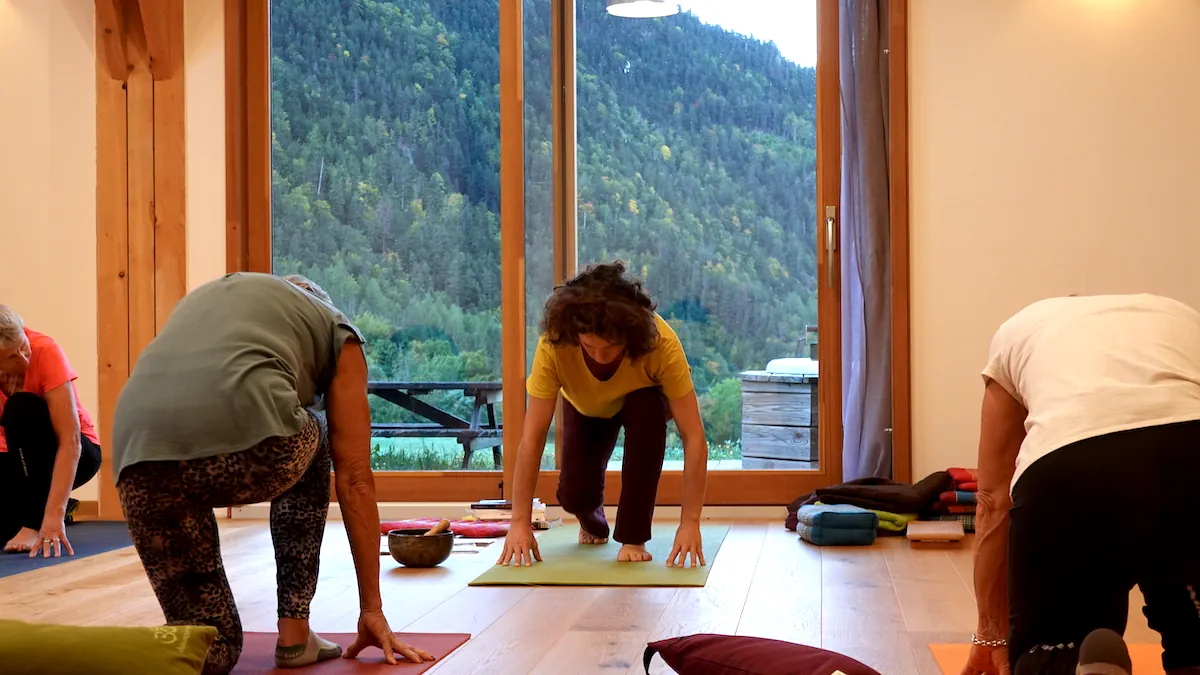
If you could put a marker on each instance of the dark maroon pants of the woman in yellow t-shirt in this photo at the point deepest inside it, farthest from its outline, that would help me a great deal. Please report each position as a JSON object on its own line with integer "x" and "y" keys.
{"x": 589, "y": 444}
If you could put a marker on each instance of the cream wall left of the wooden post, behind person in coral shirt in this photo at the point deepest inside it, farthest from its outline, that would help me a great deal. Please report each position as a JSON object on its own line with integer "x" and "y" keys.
{"x": 49, "y": 178}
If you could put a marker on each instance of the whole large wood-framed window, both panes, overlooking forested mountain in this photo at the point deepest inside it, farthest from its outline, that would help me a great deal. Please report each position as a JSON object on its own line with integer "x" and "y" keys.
{"x": 691, "y": 147}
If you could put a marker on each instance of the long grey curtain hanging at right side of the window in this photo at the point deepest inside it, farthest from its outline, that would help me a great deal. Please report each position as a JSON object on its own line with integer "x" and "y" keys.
{"x": 866, "y": 240}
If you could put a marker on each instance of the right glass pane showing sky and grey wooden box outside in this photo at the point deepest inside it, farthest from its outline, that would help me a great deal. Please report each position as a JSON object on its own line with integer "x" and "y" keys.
{"x": 698, "y": 168}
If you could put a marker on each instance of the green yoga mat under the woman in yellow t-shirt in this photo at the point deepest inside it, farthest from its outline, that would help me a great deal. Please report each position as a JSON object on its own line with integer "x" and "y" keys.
{"x": 567, "y": 563}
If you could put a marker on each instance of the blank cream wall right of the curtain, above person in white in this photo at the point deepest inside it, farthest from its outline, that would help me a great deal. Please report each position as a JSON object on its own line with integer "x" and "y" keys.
{"x": 1055, "y": 150}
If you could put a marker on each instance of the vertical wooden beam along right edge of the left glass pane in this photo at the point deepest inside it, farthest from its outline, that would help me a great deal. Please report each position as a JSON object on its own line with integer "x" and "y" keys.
{"x": 513, "y": 237}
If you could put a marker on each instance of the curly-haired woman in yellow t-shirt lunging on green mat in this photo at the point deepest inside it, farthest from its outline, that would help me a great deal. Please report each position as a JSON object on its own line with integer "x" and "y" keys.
{"x": 617, "y": 365}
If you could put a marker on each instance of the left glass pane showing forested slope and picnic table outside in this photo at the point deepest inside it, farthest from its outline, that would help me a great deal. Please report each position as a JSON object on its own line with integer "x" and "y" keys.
{"x": 386, "y": 192}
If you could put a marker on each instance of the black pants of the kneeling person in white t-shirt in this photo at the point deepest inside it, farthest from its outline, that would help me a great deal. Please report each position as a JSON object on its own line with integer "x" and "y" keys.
{"x": 1089, "y": 523}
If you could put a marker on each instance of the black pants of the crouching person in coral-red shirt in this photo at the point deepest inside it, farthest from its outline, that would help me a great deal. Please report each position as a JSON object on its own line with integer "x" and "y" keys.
{"x": 26, "y": 470}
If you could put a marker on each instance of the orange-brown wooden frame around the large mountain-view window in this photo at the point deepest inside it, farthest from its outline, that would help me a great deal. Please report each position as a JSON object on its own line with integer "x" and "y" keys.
{"x": 249, "y": 237}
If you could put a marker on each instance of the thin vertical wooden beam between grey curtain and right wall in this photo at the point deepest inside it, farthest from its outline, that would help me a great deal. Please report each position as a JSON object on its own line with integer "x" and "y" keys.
{"x": 898, "y": 180}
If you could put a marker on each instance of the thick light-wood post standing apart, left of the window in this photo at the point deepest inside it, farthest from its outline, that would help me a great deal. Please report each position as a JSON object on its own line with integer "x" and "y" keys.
{"x": 141, "y": 202}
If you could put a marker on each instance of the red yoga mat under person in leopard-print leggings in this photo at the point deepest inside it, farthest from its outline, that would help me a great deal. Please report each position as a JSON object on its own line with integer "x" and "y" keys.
{"x": 259, "y": 655}
